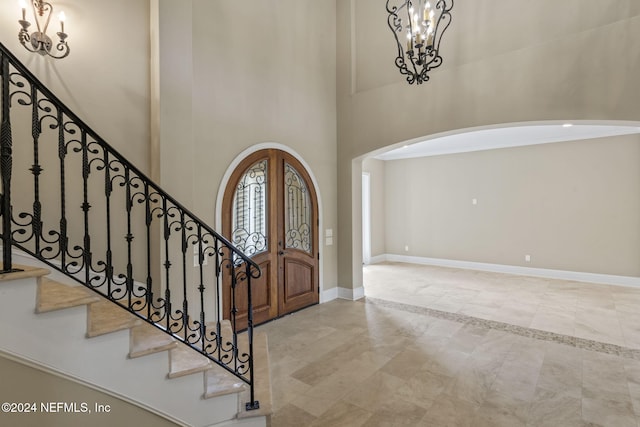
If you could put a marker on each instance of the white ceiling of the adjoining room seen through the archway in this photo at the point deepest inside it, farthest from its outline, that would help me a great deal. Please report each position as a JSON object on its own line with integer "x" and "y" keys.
{"x": 505, "y": 137}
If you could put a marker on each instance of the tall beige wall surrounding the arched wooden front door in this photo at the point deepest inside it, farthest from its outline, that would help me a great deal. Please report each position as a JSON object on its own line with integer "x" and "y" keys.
{"x": 264, "y": 74}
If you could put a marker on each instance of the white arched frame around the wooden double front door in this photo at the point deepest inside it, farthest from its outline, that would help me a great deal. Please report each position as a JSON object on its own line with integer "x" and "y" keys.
{"x": 225, "y": 181}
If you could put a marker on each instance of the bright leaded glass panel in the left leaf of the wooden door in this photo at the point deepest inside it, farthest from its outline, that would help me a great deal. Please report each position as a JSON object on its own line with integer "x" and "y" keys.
{"x": 249, "y": 219}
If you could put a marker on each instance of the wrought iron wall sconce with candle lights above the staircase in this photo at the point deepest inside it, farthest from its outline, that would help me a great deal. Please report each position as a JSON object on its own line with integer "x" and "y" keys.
{"x": 39, "y": 41}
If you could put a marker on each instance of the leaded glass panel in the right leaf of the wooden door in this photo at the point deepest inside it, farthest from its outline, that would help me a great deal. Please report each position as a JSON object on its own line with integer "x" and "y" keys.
{"x": 297, "y": 211}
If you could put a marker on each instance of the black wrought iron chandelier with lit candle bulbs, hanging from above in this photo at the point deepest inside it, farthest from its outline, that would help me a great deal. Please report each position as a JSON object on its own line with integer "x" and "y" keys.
{"x": 417, "y": 26}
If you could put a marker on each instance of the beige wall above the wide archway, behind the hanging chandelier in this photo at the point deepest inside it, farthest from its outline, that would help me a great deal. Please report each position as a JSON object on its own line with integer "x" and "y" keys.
{"x": 513, "y": 62}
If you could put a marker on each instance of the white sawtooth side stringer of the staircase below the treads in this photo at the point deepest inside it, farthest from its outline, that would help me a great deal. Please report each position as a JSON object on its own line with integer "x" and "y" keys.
{"x": 57, "y": 340}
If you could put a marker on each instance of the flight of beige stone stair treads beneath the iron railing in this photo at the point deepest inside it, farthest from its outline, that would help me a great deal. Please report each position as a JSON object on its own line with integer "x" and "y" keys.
{"x": 103, "y": 317}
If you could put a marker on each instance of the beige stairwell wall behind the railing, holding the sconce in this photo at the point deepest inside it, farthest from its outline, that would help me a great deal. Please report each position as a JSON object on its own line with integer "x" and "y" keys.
{"x": 105, "y": 82}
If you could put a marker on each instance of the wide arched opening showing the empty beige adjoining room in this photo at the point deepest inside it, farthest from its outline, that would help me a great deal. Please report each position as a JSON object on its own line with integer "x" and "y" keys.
{"x": 553, "y": 199}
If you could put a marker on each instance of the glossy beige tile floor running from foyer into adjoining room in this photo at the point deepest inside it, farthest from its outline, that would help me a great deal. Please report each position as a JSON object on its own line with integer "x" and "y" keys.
{"x": 432, "y": 346}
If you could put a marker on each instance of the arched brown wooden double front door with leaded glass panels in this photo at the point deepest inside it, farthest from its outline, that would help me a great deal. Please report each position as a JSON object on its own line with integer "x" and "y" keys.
{"x": 270, "y": 212}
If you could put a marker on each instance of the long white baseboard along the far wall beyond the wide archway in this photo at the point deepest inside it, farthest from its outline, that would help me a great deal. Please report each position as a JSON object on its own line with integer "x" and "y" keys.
{"x": 607, "y": 279}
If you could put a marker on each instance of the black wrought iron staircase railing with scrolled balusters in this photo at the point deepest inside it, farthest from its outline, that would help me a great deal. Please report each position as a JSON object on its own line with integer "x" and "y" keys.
{"x": 86, "y": 211}
